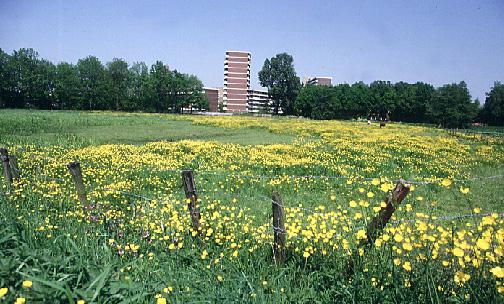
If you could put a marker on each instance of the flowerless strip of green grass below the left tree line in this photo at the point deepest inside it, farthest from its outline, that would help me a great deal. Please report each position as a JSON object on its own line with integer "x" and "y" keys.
{"x": 85, "y": 128}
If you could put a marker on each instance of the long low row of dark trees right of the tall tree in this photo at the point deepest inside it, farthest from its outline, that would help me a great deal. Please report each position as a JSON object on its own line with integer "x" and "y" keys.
{"x": 448, "y": 106}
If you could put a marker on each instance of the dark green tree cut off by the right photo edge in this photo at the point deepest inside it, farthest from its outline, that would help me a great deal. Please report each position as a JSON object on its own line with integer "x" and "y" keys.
{"x": 493, "y": 109}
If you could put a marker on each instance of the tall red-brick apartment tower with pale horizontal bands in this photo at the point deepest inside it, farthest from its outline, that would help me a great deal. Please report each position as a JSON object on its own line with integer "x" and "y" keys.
{"x": 236, "y": 81}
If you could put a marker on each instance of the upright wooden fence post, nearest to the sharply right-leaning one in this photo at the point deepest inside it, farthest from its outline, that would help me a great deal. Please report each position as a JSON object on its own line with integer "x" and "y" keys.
{"x": 279, "y": 233}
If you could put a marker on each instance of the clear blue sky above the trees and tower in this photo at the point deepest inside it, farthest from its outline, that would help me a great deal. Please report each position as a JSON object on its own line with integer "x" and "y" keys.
{"x": 433, "y": 41}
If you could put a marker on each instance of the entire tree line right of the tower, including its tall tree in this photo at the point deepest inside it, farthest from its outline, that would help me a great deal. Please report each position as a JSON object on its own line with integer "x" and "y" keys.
{"x": 449, "y": 105}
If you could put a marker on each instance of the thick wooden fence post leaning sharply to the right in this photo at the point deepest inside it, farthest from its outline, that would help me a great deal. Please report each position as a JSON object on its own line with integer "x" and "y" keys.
{"x": 392, "y": 201}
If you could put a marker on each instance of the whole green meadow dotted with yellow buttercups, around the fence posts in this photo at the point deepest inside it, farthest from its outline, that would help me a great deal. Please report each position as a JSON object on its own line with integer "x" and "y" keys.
{"x": 135, "y": 242}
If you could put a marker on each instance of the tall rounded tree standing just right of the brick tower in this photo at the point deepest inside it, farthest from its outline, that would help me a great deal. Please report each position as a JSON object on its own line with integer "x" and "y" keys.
{"x": 279, "y": 76}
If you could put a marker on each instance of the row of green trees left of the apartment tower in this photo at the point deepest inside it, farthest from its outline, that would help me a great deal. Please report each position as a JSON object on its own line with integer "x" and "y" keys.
{"x": 28, "y": 81}
